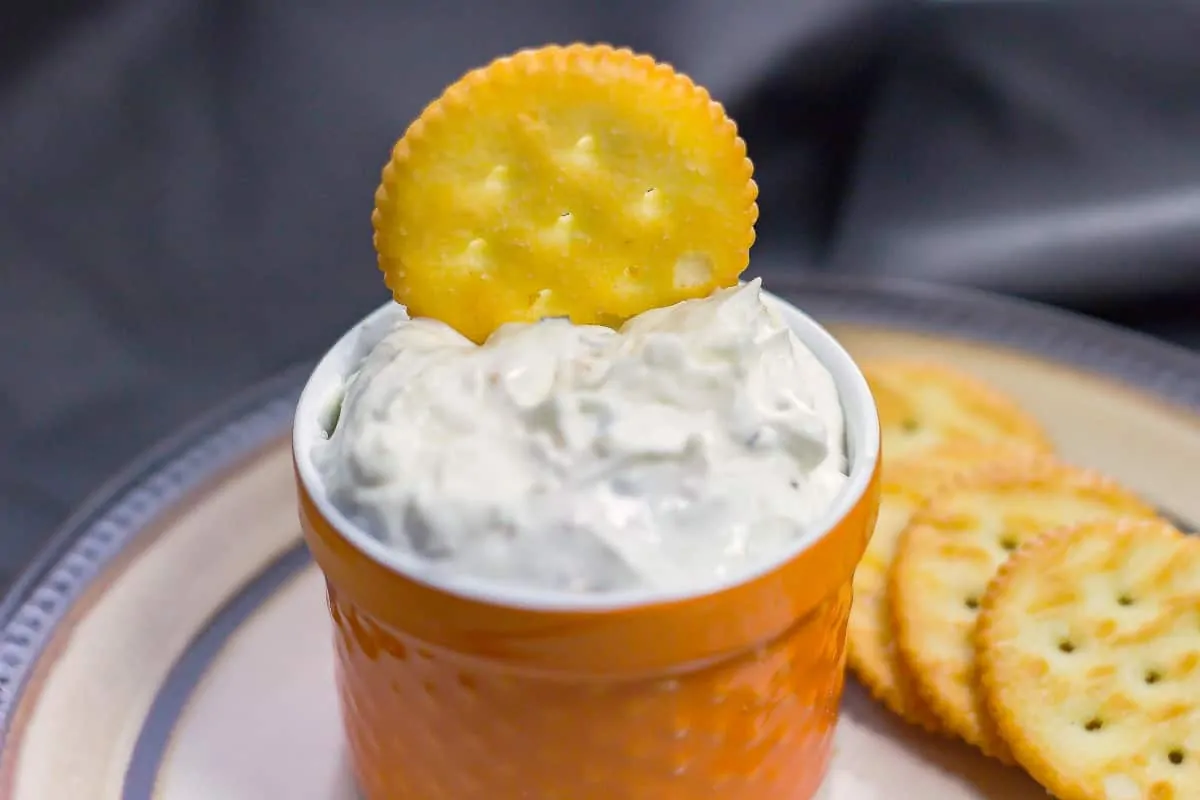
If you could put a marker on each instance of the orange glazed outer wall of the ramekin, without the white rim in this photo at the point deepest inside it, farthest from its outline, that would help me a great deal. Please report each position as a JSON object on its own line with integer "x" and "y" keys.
{"x": 484, "y": 717}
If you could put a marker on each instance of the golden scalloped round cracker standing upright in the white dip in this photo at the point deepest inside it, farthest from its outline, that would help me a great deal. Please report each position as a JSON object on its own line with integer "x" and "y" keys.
{"x": 581, "y": 182}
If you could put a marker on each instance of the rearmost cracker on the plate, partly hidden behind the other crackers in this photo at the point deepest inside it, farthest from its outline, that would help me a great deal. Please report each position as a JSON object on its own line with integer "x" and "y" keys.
{"x": 925, "y": 407}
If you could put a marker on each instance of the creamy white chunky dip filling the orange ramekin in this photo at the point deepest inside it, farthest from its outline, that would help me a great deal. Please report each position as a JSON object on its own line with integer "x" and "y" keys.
{"x": 693, "y": 446}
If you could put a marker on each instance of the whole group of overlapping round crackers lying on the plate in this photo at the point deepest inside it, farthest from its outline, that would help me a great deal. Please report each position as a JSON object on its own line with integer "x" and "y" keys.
{"x": 1035, "y": 609}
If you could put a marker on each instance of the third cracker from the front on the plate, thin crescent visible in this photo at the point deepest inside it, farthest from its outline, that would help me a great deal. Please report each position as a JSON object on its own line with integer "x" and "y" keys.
{"x": 871, "y": 640}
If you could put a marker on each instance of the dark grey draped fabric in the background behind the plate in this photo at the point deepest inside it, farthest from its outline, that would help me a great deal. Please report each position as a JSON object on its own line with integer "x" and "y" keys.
{"x": 187, "y": 185}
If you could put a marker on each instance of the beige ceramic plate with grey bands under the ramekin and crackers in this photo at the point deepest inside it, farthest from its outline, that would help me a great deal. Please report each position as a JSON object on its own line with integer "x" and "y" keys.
{"x": 172, "y": 642}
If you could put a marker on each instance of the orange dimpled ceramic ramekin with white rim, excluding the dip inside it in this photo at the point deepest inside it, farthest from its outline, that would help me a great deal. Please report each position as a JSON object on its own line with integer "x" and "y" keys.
{"x": 465, "y": 690}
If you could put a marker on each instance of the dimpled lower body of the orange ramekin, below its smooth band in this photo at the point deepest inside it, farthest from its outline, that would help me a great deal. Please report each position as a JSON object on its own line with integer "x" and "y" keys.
{"x": 437, "y": 727}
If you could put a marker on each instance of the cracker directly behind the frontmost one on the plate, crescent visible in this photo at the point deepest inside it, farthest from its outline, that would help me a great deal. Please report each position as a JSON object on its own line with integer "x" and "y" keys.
{"x": 950, "y": 554}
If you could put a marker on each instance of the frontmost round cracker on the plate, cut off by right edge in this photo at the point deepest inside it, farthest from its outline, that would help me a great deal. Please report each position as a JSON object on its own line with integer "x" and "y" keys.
{"x": 1089, "y": 647}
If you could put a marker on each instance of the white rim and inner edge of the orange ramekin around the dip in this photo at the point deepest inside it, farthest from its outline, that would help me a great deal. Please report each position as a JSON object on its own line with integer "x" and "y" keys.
{"x": 326, "y": 386}
